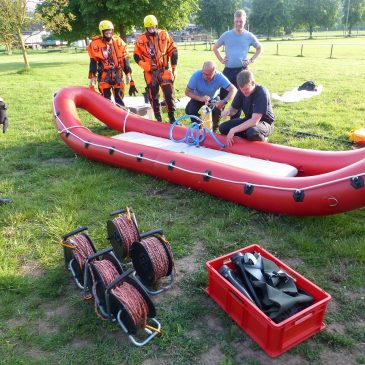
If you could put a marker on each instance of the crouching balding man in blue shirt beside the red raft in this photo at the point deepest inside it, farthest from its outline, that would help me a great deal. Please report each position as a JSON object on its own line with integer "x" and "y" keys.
{"x": 203, "y": 87}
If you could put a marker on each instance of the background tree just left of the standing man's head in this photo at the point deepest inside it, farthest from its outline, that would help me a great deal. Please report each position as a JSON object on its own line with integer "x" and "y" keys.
{"x": 218, "y": 14}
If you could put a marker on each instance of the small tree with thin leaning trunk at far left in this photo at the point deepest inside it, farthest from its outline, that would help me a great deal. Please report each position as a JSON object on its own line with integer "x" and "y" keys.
{"x": 14, "y": 18}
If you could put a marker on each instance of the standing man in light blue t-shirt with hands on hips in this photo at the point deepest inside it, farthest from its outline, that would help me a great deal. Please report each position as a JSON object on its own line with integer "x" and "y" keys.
{"x": 237, "y": 43}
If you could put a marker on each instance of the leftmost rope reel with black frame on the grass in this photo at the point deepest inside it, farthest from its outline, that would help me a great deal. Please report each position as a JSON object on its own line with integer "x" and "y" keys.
{"x": 80, "y": 275}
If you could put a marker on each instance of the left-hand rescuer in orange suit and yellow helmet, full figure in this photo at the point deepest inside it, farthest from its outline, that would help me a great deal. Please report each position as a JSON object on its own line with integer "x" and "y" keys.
{"x": 108, "y": 59}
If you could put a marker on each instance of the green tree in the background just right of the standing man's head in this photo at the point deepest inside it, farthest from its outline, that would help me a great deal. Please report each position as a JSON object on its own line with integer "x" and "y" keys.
{"x": 270, "y": 17}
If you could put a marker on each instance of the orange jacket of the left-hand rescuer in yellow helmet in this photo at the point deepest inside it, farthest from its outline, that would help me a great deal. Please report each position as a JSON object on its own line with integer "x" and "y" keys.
{"x": 111, "y": 55}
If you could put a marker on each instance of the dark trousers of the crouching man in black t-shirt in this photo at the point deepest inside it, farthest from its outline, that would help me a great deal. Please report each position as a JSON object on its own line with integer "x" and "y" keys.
{"x": 258, "y": 133}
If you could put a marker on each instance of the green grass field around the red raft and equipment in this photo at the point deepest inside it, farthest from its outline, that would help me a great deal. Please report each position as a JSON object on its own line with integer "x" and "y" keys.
{"x": 43, "y": 319}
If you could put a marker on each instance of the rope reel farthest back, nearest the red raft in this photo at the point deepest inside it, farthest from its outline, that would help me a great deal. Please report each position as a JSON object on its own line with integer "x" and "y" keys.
{"x": 122, "y": 232}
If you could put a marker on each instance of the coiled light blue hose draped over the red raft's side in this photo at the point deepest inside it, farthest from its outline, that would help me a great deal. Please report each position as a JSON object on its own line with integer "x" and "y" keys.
{"x": 195, "y": 133}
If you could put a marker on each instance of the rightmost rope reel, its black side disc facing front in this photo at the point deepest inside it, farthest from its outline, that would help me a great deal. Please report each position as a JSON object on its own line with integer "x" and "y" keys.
{"x": 153, "y": 260}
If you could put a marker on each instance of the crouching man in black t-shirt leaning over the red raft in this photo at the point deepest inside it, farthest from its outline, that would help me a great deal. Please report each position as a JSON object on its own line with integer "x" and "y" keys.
{"x": 254, "y": 101}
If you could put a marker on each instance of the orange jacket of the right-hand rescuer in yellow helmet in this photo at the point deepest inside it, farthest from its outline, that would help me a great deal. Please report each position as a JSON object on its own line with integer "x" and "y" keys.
{"x": 156, "y": 49}
